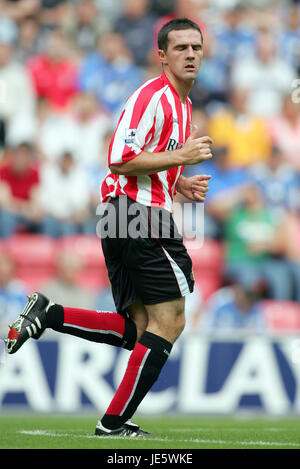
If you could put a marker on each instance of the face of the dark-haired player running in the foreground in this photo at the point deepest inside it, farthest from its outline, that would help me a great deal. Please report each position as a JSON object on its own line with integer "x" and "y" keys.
{"x": 184, "y": 54}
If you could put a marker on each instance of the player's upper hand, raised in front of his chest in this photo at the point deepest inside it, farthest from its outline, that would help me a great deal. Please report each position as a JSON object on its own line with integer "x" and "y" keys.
{"x": 196, "y": 149}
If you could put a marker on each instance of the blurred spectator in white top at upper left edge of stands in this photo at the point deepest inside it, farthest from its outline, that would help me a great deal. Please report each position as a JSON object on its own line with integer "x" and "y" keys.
{"x": 17, "y": 100}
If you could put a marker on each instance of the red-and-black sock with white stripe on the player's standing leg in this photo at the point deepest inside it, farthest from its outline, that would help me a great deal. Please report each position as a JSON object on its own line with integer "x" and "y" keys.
{"x": 145, "y": 364}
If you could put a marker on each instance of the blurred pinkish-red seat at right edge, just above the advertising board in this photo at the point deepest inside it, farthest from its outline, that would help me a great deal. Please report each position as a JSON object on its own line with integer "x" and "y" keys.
{"x": 281, "y": 315}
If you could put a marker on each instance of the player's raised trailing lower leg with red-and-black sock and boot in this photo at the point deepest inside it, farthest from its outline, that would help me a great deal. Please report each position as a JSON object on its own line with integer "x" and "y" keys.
{"x": 97, "y": 326}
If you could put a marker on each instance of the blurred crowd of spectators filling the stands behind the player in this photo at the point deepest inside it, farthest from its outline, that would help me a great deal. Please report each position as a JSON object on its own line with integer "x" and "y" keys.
{"x": 66, "y": 70}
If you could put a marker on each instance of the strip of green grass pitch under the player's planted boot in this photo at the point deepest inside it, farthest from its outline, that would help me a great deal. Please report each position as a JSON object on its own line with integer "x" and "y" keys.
{"x": 76, "y": 432}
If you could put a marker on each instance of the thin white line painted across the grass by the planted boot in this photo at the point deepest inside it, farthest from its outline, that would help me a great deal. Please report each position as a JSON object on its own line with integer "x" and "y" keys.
{"x": 191, "y": 440}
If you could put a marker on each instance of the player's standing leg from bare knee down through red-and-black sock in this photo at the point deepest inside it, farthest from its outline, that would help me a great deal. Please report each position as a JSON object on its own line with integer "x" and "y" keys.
{"x": 166, "y": 322}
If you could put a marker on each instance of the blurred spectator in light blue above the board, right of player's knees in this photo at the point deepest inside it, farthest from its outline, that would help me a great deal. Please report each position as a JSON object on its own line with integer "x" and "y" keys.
{"x": 235, "y": 307}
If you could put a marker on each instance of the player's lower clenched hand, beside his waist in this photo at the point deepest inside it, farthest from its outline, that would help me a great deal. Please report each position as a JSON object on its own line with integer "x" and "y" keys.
{"x": 194, "y": 188}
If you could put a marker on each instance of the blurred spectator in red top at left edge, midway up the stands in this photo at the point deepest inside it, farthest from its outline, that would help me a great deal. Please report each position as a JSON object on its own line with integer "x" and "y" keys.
{"x": 20, "y": 179}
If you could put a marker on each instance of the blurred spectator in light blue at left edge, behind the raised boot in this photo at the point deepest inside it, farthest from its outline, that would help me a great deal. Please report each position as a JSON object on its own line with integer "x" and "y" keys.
{"x": 12, "y": 291}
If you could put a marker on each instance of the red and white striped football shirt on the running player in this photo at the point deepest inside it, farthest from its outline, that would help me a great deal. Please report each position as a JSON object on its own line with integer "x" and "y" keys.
{"x": 154, "y": 120}
